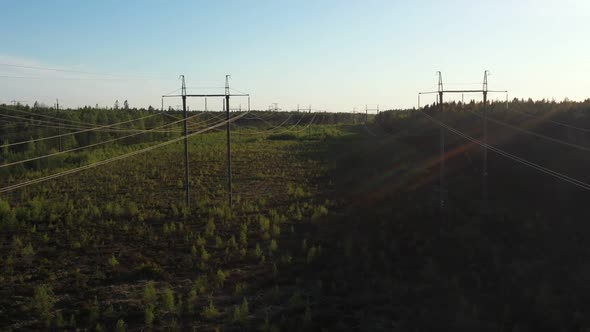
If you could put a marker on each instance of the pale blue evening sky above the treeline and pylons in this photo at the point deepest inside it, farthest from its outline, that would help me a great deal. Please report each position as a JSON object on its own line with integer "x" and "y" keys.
{"x": 334, "y": 55}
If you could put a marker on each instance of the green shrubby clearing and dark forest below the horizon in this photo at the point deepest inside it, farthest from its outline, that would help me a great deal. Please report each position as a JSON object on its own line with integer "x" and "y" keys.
{"x": 336, "y": 223}
